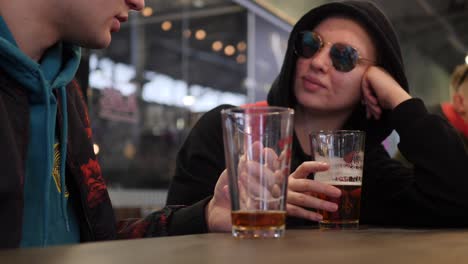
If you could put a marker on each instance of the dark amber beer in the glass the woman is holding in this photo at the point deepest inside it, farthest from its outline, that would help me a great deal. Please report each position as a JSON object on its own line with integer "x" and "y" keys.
{"x": 349, "y": 203}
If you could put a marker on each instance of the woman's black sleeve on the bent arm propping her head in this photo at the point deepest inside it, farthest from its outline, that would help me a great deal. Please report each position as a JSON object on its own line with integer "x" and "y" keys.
{"x": 432, "y": 194}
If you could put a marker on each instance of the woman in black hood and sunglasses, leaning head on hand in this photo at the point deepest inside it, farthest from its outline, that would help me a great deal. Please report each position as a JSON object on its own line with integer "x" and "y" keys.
{"x": 343, "y": 70}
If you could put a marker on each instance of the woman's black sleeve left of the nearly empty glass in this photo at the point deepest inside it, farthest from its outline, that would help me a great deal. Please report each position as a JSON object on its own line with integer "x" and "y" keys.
{"x": 199, "y": 162}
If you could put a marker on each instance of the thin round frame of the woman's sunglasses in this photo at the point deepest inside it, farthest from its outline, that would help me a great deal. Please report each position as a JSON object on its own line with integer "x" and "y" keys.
{"x": 322, "y": 44}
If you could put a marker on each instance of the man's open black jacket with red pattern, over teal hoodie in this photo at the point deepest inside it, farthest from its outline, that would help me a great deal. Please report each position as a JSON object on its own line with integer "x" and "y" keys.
{"x": 87, "y": 187}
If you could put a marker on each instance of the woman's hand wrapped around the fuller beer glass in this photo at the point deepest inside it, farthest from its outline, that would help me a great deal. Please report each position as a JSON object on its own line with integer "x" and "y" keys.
{"x": 302, "y": 192}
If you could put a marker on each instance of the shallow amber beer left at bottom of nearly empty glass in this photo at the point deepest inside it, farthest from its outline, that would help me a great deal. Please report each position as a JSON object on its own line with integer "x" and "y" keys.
{"x": 258, "y": 223}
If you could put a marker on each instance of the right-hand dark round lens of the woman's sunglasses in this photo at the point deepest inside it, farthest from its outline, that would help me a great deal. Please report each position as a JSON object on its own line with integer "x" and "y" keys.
{"x": 344, "y": 57}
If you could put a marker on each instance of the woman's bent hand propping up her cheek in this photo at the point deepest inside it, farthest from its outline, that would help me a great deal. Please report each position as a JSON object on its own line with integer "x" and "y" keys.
{"x": 381, "y": 91}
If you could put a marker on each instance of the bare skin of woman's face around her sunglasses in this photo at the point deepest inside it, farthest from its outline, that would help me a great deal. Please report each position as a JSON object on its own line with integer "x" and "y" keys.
{"x": 318, "y": 86}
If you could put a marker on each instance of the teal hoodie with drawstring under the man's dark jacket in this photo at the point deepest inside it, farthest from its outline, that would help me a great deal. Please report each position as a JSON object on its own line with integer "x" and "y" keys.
{"x": 48, "y": 217}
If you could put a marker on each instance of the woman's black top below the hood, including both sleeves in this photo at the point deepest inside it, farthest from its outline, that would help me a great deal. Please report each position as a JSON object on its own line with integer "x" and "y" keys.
{"x": 430, "y": 195}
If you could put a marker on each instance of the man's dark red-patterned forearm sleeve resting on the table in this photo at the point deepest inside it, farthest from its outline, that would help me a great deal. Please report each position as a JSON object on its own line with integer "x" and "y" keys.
{"x": 169, "y": 221}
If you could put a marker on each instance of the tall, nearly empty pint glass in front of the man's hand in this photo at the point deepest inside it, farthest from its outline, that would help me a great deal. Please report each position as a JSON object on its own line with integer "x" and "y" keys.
{"x": 257, "y": 147}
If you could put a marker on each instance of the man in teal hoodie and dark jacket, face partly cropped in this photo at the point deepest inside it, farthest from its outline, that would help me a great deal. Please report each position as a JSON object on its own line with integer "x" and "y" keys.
{"x": 52, "y": 191}
